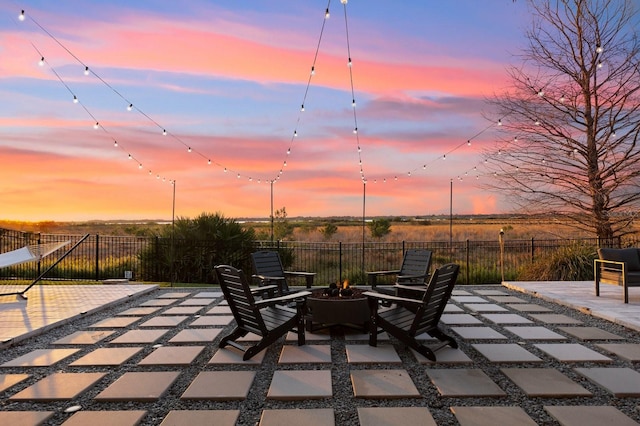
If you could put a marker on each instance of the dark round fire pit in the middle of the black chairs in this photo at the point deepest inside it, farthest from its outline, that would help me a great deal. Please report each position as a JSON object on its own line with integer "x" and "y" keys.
{"x": 328, "y": 308}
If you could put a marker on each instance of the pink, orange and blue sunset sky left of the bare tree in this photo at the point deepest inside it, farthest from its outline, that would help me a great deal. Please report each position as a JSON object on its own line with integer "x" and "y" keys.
{"x": 226, "y": 80}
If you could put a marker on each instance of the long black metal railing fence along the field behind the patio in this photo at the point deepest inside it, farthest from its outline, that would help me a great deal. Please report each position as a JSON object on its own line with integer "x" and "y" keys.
{"x": 145, "y": 258}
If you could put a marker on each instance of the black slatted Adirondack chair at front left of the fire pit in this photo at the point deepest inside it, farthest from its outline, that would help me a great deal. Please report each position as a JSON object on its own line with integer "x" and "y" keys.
{"x": 264, "y": 317}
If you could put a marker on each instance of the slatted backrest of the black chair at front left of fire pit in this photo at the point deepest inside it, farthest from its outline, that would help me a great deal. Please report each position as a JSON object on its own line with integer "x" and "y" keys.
{"x": 237, "y": 292}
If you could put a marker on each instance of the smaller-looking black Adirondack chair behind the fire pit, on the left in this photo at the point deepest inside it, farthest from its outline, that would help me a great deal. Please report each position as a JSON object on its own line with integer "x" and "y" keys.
{"x": 268, "y": 271}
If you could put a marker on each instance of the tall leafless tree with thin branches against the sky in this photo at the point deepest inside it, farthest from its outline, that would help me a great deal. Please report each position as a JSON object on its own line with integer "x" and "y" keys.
{"x": 570, "y": 122}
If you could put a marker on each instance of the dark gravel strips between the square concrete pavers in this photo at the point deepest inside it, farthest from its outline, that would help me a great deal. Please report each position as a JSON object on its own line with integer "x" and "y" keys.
{"x": 343, "y": 402}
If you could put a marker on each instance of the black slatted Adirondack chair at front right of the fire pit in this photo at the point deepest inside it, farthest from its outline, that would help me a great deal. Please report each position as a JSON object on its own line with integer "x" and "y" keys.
{"x": 411, "y": 316}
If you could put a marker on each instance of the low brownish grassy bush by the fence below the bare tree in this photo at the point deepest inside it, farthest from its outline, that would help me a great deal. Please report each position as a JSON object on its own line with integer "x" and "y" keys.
{"x": 570, "y": 263}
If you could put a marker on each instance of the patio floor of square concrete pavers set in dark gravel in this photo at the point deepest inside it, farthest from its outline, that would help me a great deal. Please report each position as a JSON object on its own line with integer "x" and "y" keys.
{"x": 137, "y": 354}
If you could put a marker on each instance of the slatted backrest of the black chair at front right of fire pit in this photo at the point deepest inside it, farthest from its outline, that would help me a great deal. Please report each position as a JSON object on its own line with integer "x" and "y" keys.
{"x": 435, "y": 298}
